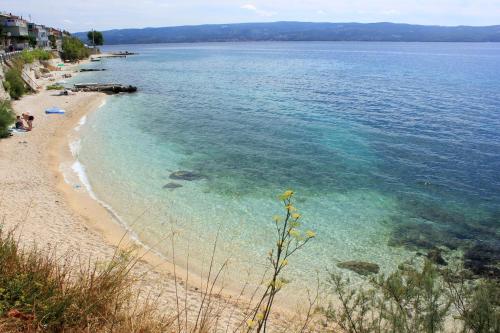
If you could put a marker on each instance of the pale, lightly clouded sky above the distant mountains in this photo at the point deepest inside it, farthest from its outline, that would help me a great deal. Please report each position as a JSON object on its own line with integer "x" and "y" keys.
{"x": 78, "y": 15}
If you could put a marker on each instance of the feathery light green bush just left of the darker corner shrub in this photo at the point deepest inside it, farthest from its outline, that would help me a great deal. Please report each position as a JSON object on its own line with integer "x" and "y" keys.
{"x": 408, "y": 300}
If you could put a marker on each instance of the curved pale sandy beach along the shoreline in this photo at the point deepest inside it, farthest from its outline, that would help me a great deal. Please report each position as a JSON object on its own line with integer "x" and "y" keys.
{"x": 47, "y": 211}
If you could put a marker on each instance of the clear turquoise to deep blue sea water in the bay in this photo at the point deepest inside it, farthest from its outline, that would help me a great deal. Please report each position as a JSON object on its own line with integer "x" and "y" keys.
{"x": 390, "y": 147}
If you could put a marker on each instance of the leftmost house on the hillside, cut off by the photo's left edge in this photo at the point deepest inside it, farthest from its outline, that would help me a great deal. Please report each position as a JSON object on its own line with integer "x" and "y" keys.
{"x": 14, "y": 31}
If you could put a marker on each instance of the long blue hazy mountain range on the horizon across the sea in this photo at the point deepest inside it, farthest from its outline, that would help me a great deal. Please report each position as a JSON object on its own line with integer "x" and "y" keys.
{"x": 301, "y": 31}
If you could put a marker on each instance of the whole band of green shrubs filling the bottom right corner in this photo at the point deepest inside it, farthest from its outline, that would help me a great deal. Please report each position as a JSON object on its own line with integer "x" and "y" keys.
{"x": 415, "y": 300}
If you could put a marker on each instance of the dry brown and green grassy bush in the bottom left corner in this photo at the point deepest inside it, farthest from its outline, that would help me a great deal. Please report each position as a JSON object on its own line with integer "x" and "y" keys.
{"x": 41, "y": 292}
